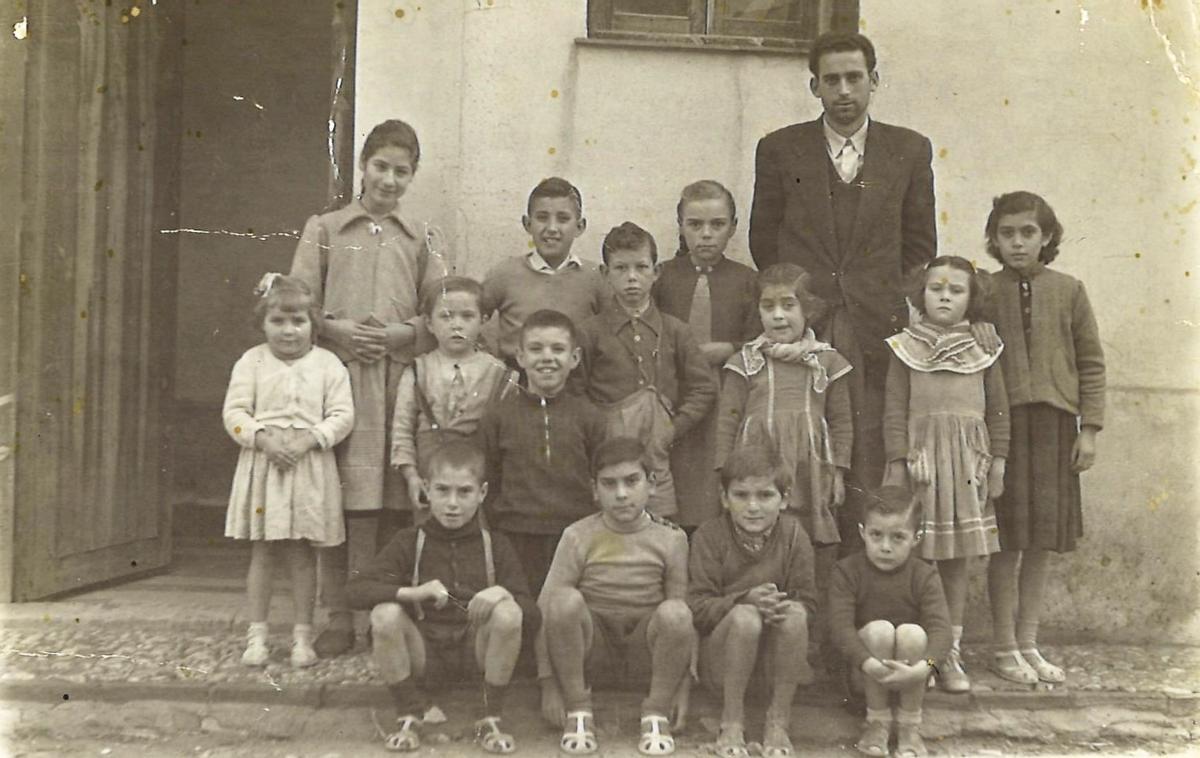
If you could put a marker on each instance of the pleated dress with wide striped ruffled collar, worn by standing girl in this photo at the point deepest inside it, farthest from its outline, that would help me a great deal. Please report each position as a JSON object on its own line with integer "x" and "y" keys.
{"x": 953, "y": 395}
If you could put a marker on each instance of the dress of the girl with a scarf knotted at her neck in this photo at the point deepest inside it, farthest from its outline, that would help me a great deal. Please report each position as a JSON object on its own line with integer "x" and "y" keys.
{"x": 803, "y": 412}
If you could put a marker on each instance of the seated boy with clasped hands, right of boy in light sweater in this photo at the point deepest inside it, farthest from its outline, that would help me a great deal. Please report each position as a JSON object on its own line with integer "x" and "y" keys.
{"x": 752, "y": 592}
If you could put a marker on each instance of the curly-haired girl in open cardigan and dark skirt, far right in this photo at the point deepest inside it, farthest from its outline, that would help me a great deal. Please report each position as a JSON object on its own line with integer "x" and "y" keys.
{"x": 1054, "y": 370}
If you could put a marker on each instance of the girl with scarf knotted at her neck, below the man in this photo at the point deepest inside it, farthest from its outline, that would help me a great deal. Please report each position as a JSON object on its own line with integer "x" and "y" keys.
{"x": 784, "y": 389}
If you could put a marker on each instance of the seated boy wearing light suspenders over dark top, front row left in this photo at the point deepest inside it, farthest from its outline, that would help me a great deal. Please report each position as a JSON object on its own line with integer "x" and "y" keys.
{"x": 445, "y": 597}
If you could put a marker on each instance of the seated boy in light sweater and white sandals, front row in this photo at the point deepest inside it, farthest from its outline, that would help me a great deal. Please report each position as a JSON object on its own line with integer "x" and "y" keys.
{"x": 615, "y": 607}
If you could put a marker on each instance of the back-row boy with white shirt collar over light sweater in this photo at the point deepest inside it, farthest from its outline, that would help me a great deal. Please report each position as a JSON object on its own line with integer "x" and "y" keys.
{"x": 551, "y": 276}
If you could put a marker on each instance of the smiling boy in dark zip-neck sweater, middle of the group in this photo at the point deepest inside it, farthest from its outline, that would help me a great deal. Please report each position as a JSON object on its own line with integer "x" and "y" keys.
{"x": 539, "y": 444}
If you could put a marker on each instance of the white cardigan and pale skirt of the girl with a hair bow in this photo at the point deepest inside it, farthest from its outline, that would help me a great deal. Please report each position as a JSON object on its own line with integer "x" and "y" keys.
{"x": 313, "y": 394}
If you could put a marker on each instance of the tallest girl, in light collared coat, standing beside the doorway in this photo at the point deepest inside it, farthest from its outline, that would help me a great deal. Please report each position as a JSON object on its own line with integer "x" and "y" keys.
{"x": 368, "y": 266}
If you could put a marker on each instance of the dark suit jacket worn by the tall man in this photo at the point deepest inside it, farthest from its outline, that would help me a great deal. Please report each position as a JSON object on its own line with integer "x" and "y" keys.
{"x": 793, "y": 221}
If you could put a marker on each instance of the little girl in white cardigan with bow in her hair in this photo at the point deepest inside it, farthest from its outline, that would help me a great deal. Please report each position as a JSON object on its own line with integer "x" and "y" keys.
{"x": 289, "y": 405}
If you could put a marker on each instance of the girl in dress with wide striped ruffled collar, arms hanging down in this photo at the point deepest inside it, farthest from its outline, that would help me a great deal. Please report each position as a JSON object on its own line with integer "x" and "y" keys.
{"x": 946, "y": 429}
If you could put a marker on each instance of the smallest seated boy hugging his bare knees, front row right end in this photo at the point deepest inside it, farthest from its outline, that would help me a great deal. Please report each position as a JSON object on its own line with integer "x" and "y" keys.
{"x": 889, "y": 618}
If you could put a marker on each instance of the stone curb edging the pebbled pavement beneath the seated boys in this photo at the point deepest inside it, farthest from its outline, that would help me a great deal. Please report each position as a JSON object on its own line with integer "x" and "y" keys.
{"x": 319, "y": 695}
